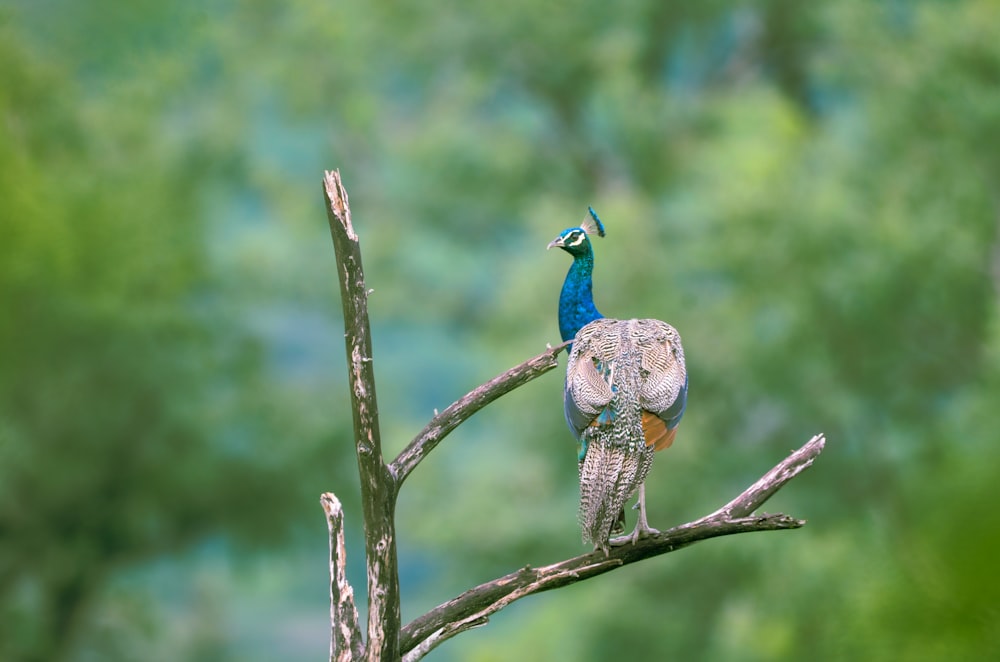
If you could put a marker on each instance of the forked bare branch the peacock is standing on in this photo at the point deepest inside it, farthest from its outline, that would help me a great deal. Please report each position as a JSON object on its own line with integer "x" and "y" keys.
{"x": 474, "y": 607}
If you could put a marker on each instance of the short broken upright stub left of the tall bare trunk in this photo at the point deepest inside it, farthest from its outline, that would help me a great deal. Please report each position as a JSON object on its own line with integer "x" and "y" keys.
{"x": 345, "y": 634}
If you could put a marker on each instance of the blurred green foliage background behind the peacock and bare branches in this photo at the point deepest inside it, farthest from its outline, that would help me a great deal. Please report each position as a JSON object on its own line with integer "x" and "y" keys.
{"x": 808, "y": 191}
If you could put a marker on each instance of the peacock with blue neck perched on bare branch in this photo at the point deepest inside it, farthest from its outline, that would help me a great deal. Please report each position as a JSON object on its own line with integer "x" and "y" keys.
{"x": 625, "y": 393}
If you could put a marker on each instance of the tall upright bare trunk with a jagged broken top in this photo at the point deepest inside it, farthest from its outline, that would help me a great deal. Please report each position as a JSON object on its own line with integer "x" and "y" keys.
{"x": 378, "y": 487}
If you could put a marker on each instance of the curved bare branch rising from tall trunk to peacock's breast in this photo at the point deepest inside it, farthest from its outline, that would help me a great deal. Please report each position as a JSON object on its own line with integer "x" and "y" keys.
{"x": 460, "y": 410}
